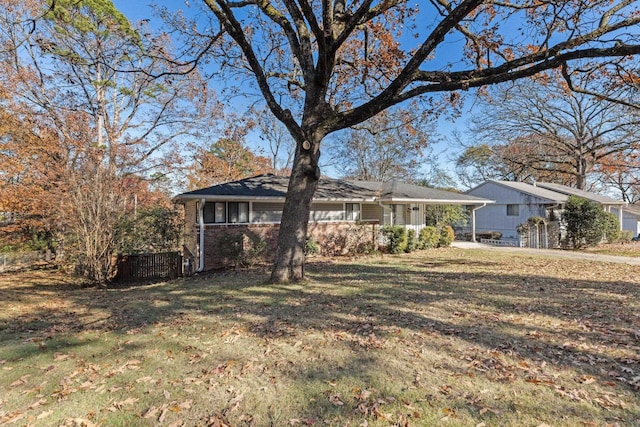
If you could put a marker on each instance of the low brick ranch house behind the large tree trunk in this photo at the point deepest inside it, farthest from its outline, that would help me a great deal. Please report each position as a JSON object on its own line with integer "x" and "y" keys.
{"x": 253, "y": 207}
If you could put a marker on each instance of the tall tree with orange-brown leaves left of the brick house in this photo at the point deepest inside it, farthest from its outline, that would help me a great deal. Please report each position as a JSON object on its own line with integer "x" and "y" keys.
{"x": 76, "y": 73}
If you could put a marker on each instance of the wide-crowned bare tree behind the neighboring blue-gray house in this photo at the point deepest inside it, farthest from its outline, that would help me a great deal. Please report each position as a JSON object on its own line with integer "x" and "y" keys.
{"x": 542, "y": 130}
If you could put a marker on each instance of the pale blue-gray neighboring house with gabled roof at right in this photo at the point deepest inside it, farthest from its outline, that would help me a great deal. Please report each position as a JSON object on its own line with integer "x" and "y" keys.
{"x": 516, "y": 202}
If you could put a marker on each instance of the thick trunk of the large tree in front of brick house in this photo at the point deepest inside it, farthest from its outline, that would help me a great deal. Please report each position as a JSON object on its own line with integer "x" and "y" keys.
{"x": 289, "y": 262}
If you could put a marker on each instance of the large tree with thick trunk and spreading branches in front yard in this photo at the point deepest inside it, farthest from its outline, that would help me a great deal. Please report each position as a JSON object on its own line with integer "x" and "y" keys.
{"x": 327, "y": 65}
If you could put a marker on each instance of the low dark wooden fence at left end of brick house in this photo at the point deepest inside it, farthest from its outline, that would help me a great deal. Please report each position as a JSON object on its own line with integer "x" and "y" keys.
{"x": 166, "y": 265}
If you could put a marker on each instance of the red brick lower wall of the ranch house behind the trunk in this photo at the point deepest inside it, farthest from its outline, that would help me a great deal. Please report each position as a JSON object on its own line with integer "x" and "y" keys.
{"x": 331, "y": 237}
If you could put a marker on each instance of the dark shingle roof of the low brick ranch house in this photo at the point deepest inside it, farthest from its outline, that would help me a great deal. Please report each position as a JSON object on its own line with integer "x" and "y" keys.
{"x": 275, "y": 187}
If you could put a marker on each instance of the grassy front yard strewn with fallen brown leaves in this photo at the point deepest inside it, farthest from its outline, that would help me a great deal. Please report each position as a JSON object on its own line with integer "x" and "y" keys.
{"x": 443, "y": 337}
